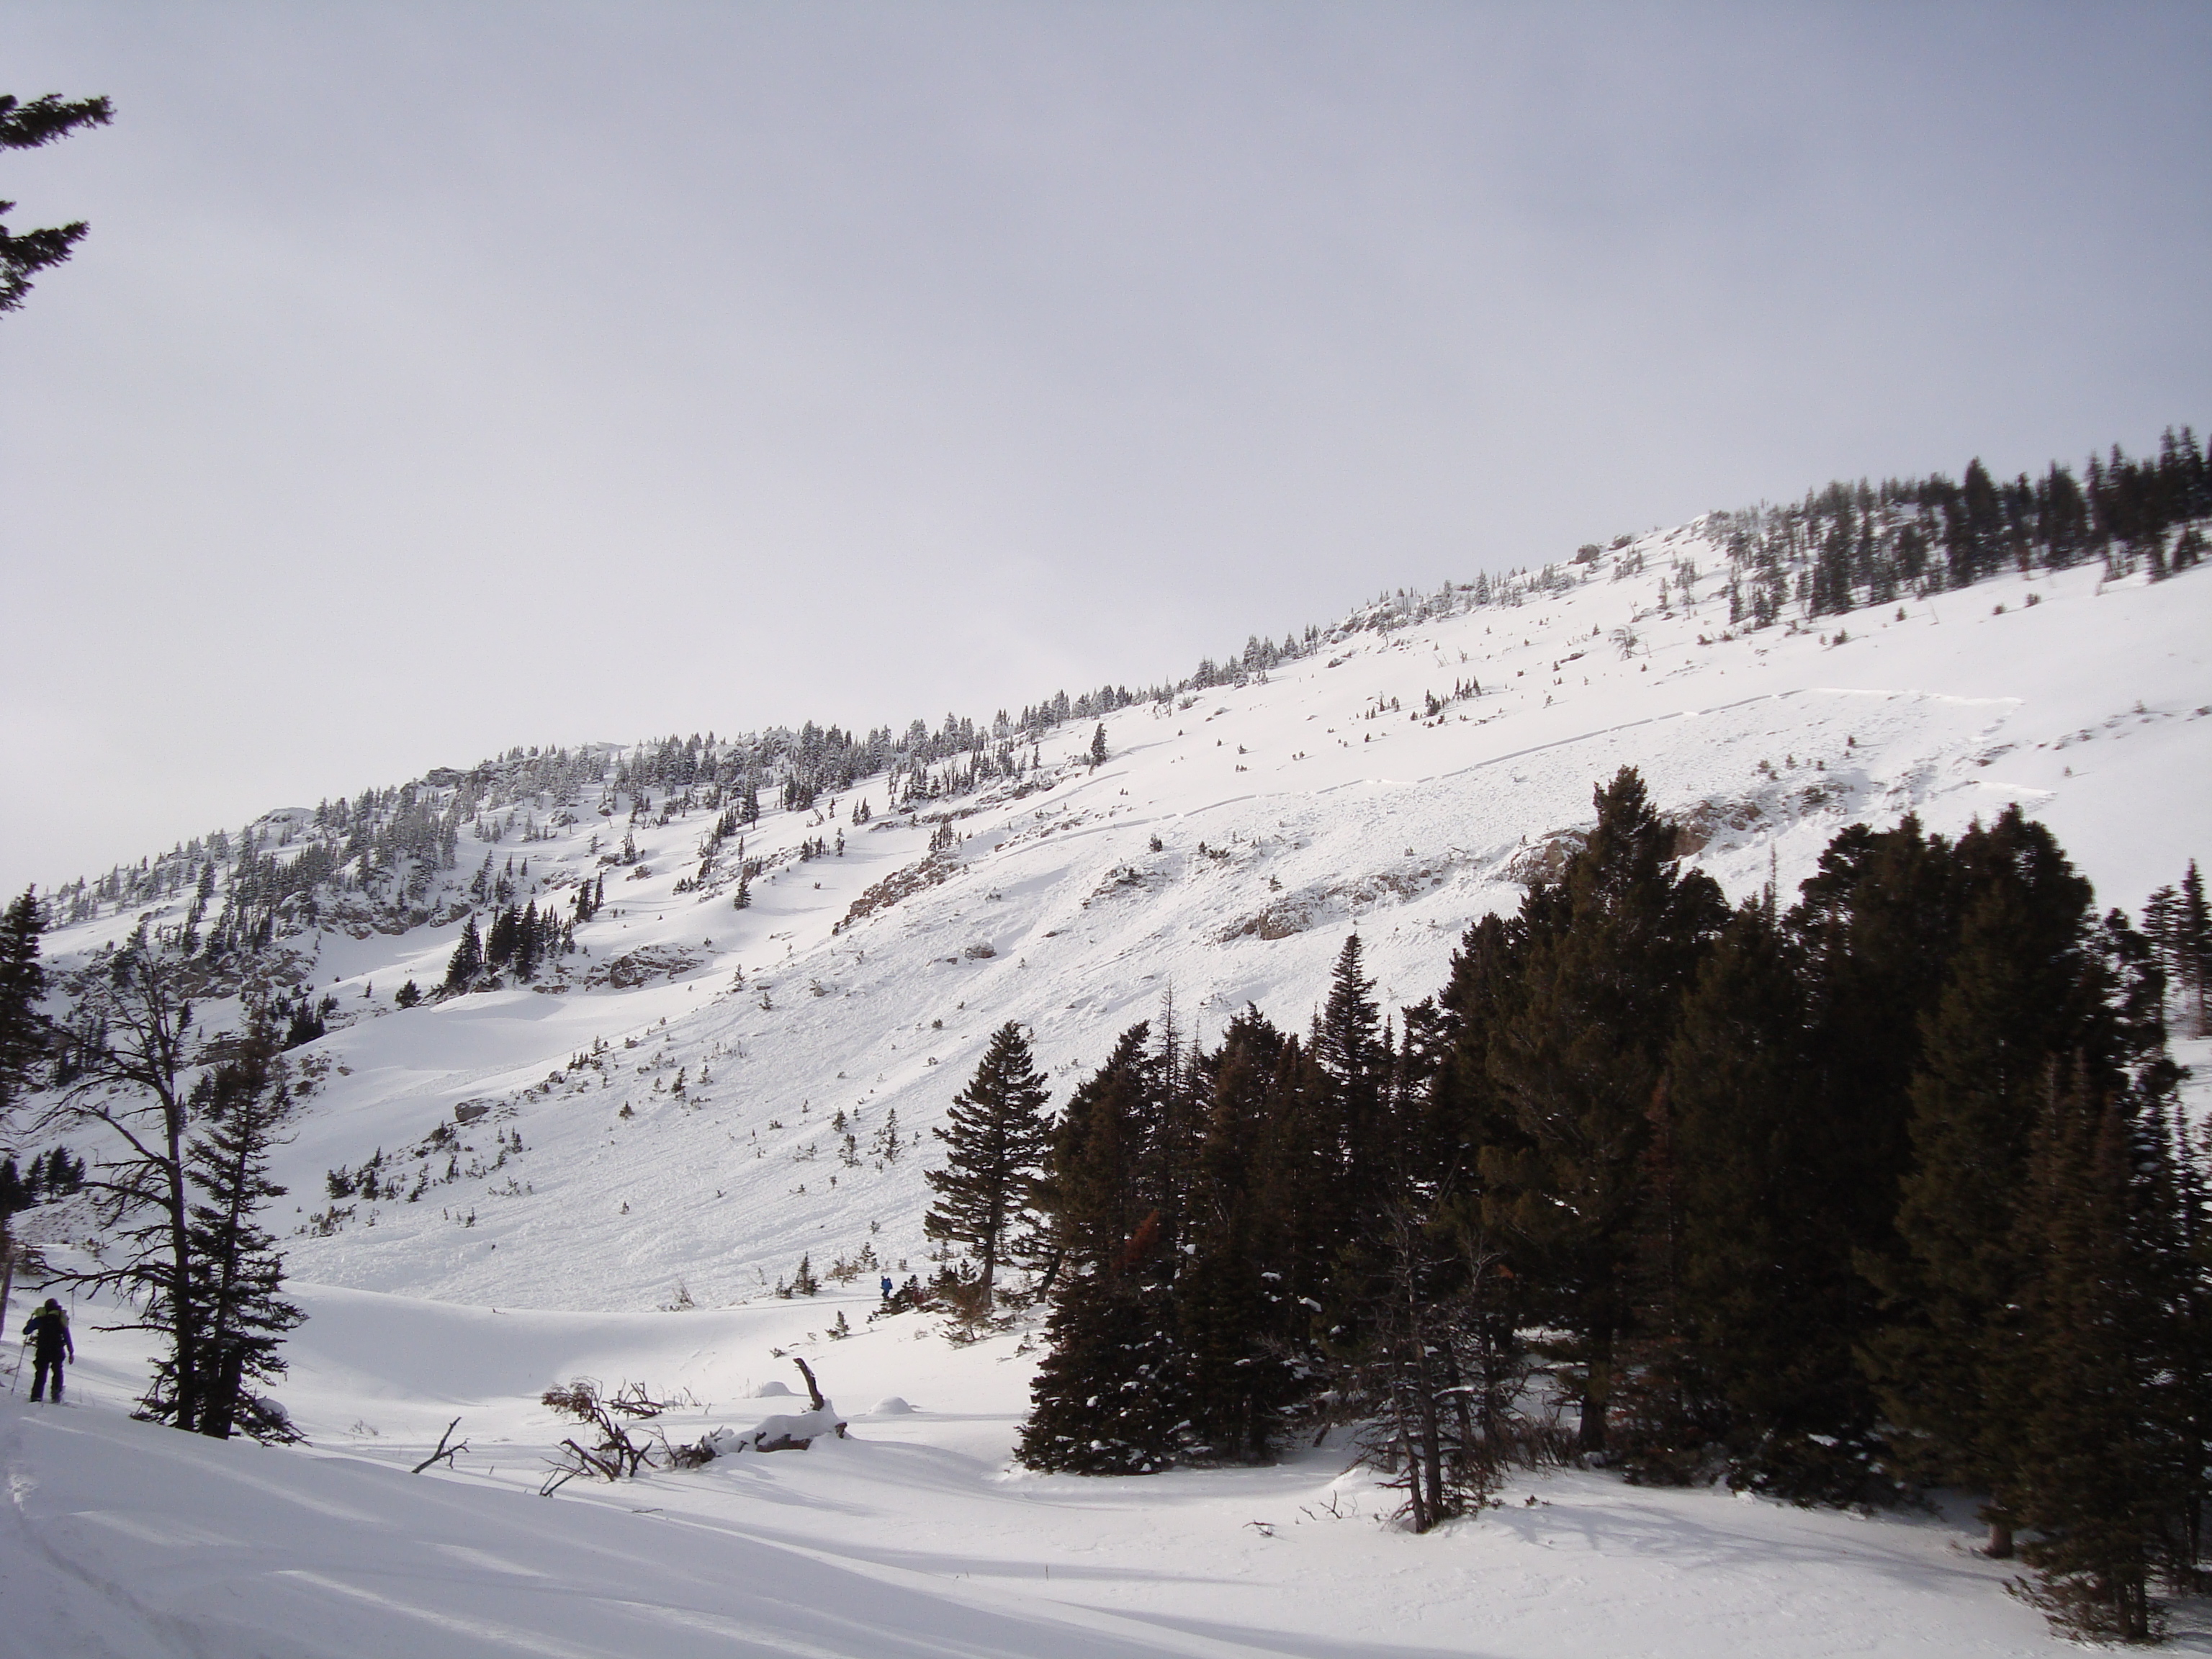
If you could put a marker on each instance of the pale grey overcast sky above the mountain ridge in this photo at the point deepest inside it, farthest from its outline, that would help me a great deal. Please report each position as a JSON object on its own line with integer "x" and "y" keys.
{"x": 448, "y": 377}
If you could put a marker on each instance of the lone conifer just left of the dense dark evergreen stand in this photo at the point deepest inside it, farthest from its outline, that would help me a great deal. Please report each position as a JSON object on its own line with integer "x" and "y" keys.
{"x": 997, "y": 1140}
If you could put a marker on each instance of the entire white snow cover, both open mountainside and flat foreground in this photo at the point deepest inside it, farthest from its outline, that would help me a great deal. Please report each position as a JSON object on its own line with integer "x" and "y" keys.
{"x": 647, "y": 1246}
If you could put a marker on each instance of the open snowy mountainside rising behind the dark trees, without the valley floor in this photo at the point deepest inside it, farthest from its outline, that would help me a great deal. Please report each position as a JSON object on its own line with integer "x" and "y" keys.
{"x": 1218, "y": 857}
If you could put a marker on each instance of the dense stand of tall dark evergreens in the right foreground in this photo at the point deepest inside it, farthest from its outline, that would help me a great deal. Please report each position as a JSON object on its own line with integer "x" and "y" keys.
{"x": 1875, "y": 1191}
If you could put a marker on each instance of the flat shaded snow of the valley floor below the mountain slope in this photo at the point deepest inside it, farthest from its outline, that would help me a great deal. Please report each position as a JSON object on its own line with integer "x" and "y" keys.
{"x": 912, "y": 1536}
